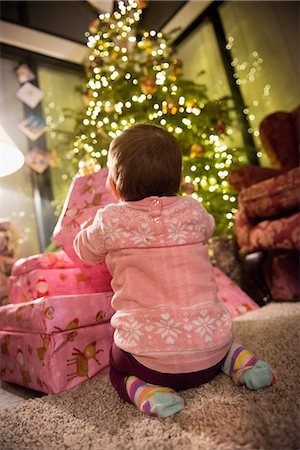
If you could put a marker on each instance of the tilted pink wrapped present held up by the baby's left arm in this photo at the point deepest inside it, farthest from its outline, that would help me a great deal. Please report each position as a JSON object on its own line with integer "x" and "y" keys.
{"x": 86, "y": 195}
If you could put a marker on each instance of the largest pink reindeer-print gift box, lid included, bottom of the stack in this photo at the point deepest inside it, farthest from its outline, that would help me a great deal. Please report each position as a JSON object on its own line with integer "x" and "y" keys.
{"x": 54, "y": 343}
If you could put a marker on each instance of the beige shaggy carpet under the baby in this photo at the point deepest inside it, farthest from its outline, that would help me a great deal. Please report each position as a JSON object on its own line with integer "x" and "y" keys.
{"x": 217, "y": 416}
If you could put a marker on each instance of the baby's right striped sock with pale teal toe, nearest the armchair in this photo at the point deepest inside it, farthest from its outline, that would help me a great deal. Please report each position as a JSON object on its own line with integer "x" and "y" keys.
{"x": 244, "y": 368}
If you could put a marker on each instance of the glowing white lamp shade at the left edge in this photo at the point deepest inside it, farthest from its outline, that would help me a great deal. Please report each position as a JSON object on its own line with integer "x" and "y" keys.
{"x": 11, "y": 158}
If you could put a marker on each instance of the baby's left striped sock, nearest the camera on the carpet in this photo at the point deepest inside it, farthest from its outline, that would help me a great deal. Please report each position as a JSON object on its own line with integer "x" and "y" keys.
{"x": 153, "y": 400}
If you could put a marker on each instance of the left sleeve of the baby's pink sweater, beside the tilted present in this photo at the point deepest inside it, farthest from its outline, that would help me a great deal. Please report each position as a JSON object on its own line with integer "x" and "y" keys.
{"x": 88, "y": 243}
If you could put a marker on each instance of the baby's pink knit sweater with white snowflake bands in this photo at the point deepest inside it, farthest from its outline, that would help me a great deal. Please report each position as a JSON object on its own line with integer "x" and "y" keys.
{"x": 168, "y": 315}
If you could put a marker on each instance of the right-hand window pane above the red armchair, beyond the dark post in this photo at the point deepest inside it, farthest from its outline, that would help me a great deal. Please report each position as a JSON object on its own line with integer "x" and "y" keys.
{"x": 264, "y": 43}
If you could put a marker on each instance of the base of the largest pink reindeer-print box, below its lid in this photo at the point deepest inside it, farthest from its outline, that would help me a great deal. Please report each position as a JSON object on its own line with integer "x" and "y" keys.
{"x": 57, "y": 362}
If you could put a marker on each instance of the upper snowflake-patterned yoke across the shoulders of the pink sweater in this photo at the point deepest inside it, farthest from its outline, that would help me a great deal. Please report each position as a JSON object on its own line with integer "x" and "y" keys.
{"x": 124, "y": 226}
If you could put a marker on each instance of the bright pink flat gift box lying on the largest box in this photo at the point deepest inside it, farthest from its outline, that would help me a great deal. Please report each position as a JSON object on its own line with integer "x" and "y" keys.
{"x": 51, "y": 274}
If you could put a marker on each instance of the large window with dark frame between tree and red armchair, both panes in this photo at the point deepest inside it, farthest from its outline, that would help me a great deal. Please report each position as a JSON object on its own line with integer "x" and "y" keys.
{"x": 262, "y": 63}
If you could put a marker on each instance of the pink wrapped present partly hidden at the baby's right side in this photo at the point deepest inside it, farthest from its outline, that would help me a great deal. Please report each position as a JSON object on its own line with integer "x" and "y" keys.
{"x": 234, "y": 298}
